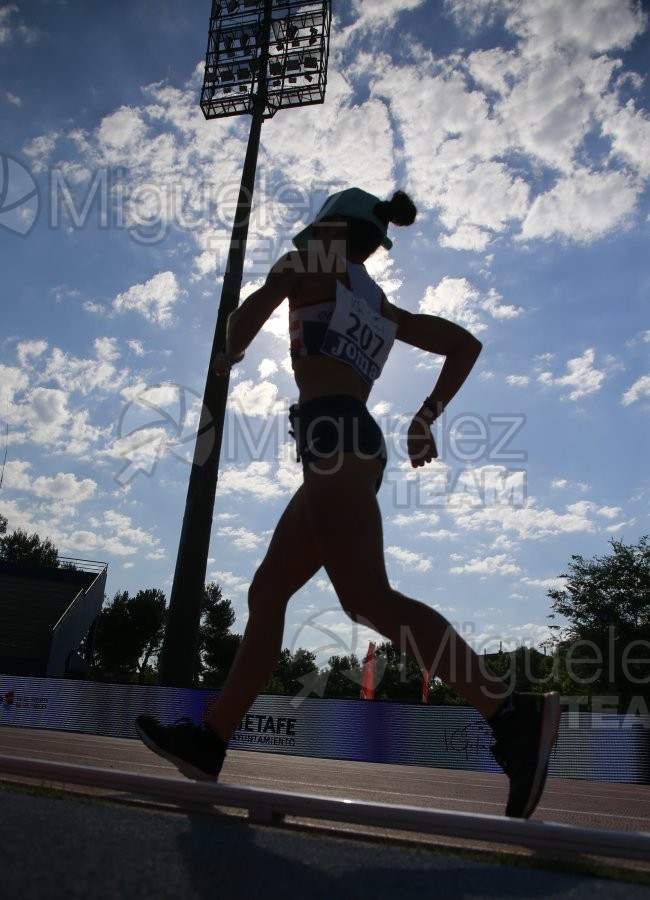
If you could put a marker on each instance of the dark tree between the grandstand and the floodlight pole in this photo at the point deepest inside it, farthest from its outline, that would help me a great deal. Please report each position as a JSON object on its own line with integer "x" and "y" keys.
{"x": 129, "y": 635}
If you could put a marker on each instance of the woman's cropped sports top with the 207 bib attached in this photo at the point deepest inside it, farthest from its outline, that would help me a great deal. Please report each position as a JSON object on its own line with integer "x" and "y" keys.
{"x": 350, "y": 328}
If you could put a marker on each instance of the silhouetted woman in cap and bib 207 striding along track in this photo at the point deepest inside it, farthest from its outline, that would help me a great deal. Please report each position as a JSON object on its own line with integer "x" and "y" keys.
{"x": 342, "y": 328}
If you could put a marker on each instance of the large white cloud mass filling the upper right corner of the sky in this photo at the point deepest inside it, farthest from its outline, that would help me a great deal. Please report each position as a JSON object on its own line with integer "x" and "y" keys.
{"x": 540, "y": 100}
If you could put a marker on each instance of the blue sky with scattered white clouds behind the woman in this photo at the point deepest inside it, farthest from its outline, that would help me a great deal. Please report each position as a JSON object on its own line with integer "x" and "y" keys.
{"x": 522, "y": 132}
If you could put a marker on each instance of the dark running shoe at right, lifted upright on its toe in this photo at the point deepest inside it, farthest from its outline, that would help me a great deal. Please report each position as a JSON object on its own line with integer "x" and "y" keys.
{"x": 526, "y": 730}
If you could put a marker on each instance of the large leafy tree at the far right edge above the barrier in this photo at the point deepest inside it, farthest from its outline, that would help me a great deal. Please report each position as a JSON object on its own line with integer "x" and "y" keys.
{"x": 604, "y": 650}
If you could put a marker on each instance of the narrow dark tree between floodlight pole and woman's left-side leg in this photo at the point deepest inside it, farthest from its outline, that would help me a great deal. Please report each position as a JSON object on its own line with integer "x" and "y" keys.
{"x": 217, "y": 646}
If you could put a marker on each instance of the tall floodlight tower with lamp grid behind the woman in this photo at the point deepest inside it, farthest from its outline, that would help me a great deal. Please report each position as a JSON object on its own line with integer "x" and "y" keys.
{"x": 262, "y": 56}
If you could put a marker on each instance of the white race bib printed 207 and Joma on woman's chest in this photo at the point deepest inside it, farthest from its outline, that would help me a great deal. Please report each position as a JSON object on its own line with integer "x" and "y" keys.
{"x": 358, "y": 336}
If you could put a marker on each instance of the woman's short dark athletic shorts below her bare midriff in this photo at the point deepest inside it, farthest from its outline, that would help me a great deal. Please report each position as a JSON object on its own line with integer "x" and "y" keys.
{"x": 327, "y": 426}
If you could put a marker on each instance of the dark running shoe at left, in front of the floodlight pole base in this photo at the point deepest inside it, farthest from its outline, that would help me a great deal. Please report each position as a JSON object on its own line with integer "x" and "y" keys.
{"x": 195, "y": 750}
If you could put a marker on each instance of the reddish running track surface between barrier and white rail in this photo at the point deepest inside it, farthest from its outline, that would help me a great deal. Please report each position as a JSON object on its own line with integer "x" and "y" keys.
{"x": 586, "y": 804}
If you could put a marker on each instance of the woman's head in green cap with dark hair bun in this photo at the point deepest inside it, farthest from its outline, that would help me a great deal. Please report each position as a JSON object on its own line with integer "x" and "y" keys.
{"x": 361, "y": 219}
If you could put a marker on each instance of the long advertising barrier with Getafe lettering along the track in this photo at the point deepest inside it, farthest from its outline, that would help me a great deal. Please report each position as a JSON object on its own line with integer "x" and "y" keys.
{"x": 602, "y": 747}
